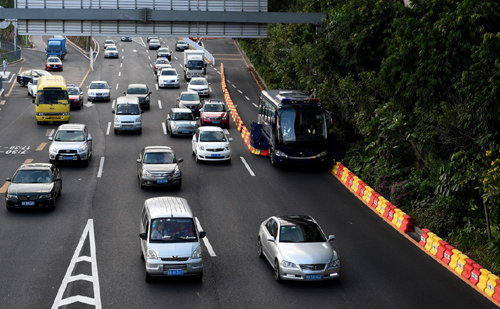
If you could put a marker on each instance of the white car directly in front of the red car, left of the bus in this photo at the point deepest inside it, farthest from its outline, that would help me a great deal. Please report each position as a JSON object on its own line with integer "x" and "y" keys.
{"x": 211, "y": 144}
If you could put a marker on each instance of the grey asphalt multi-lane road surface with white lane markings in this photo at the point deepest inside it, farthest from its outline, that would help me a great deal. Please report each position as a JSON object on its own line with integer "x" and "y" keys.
{"x": 38, "y": 264}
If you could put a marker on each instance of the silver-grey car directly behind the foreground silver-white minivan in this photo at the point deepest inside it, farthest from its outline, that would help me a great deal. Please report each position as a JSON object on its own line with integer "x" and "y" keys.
{"x": 158, "y": 166}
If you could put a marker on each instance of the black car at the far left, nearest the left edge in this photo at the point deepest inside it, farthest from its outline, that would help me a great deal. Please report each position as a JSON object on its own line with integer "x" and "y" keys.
{"x": 34, "y": 185}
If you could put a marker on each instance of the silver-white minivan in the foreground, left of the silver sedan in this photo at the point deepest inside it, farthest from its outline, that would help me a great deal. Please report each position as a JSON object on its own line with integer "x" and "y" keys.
{"x": 170, "y": 239}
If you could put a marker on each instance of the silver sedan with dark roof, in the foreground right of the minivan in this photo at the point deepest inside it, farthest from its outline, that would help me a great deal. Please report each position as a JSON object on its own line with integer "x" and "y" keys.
{"x": 297, "y": 249}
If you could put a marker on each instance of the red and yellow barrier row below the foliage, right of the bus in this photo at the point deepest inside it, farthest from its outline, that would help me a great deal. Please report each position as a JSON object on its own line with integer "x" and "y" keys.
{"x": 465, "y": 267}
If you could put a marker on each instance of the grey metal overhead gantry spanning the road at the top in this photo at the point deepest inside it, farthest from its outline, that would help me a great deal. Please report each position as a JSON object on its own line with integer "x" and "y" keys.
{"x": 166, "y": 18}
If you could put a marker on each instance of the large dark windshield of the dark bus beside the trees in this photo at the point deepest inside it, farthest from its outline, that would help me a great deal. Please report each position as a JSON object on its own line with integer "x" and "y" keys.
{"x": 301, "y": 124}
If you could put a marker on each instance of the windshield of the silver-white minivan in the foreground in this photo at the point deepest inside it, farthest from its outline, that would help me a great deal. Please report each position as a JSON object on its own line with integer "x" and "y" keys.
{"x": 173, "y": 230}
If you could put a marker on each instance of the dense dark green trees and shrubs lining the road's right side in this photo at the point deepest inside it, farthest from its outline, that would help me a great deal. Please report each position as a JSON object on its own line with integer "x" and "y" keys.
{"x": 414, "y": 93}
